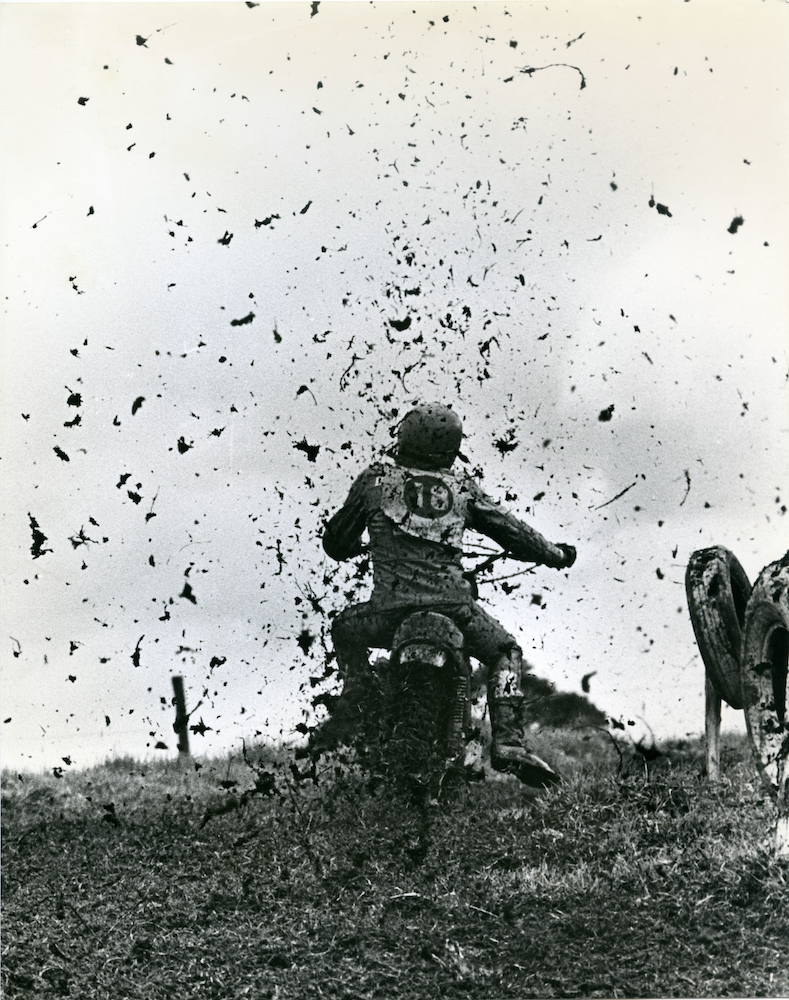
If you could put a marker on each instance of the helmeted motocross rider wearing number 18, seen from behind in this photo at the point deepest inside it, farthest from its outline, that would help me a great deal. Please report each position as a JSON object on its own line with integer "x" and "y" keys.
{"x": 415, "y": 512}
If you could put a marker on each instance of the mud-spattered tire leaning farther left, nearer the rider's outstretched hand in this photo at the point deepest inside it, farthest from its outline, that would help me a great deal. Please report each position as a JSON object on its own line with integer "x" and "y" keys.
{"x": 718, "y": 589}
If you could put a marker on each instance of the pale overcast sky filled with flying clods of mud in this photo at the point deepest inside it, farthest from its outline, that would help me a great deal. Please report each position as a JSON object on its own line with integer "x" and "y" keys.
{"x": 239, "y": 240}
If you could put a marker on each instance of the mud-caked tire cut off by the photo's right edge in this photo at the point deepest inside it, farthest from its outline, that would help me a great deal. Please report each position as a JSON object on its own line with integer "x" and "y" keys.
{"x": 764, "y": 672}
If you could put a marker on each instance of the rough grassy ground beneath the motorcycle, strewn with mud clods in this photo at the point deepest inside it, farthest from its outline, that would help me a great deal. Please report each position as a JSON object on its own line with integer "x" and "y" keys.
{"x": 629, "y": 880}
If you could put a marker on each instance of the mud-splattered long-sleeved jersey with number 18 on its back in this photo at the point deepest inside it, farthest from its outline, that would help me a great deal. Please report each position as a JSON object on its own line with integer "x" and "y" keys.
{"x": 415, "y": 520}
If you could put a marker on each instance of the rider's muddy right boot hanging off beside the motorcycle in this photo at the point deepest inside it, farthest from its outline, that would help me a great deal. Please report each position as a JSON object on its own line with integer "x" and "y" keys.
{"x": 509, "y": 751}
